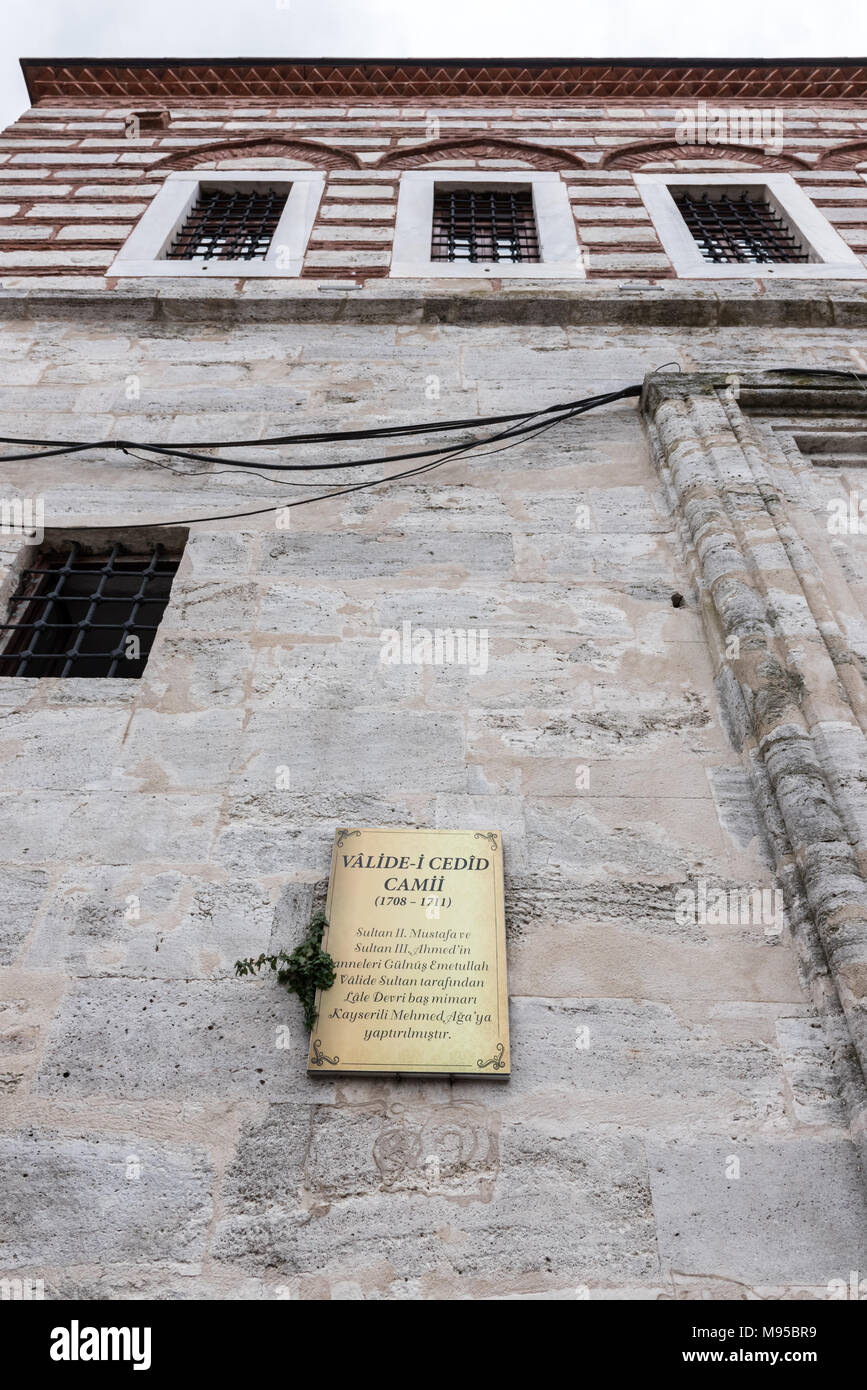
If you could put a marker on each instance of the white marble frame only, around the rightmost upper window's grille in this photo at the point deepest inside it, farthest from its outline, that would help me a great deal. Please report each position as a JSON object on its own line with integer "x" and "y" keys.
{"x": 832, "y": 258}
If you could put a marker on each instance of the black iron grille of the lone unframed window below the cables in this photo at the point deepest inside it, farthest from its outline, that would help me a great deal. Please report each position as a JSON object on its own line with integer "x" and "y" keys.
{"x": 79, "y": 615}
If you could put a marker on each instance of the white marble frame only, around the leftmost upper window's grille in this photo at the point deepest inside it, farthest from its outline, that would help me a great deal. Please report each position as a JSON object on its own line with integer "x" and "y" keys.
{"x": 145, "y": 248}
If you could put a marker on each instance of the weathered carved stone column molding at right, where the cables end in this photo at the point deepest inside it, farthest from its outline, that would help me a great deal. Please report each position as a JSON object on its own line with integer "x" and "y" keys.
{"x": 793, "y": 692}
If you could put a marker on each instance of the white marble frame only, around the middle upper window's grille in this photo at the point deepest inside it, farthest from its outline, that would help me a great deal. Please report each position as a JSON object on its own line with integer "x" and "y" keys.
{"x": 555, "y": 226}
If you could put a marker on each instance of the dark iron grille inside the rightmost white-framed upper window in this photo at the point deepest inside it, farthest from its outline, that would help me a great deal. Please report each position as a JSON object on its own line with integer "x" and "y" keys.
{"x": 740, "y": 227}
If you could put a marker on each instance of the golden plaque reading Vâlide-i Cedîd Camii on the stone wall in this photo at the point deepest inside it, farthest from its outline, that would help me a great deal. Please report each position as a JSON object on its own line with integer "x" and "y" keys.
{"x": 418, "y": 935}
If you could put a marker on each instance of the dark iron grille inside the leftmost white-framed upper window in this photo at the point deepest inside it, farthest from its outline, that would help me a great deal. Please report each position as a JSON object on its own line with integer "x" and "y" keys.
{"x": 230, "y": 224}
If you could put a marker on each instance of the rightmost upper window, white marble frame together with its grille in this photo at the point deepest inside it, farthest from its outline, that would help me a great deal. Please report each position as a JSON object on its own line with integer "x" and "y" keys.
{"x": 745, "y": 224}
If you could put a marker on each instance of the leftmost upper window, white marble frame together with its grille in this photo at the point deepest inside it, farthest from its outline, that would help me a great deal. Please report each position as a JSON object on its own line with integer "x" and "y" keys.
{"x": 241, "y": 224}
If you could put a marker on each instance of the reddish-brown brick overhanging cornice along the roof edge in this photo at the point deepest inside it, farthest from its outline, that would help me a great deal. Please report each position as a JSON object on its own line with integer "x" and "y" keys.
{"x": 436, "y": 80}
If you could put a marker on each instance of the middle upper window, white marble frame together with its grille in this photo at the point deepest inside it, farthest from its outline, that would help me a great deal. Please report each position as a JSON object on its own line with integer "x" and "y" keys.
{"x": 466, "y": 223}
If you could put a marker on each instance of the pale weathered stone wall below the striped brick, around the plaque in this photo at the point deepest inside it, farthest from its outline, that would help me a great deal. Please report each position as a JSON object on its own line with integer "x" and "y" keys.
{"x": 156, "y": 1139}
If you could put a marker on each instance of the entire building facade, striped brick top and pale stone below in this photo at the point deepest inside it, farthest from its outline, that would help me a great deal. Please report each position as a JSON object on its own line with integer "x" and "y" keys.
{"x": 687, "y": 1110}
